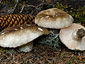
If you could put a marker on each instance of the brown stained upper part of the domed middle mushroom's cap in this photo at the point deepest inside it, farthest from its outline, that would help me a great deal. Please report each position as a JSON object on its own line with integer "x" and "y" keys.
{"x": 52, "y": 14}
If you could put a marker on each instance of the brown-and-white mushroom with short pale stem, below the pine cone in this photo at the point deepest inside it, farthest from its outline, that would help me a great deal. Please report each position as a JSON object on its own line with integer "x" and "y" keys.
{"x": 21, "y": 36}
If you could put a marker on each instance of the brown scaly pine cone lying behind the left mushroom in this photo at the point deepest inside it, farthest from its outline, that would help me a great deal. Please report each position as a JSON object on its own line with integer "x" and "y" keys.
{"x": 14, "y": 20}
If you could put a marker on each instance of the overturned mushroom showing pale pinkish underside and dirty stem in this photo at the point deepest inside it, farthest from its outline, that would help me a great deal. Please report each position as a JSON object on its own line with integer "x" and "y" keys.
{"x": 73, "y": 37}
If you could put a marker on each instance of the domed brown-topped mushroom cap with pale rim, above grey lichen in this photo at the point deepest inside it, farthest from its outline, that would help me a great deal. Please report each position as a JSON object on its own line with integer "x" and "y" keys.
{"x": 53, "y": 18}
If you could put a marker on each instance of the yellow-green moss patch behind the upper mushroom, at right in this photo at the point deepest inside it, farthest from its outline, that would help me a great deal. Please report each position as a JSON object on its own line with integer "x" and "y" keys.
{"x": 77, "y": 13}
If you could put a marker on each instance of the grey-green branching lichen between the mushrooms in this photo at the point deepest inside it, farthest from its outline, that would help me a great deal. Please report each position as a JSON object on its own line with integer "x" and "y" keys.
{"x": 51, "y": 40}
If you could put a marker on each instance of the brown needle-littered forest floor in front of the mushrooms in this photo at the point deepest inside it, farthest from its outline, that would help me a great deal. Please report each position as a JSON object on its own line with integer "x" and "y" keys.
{"x": 42, "y": 54}
